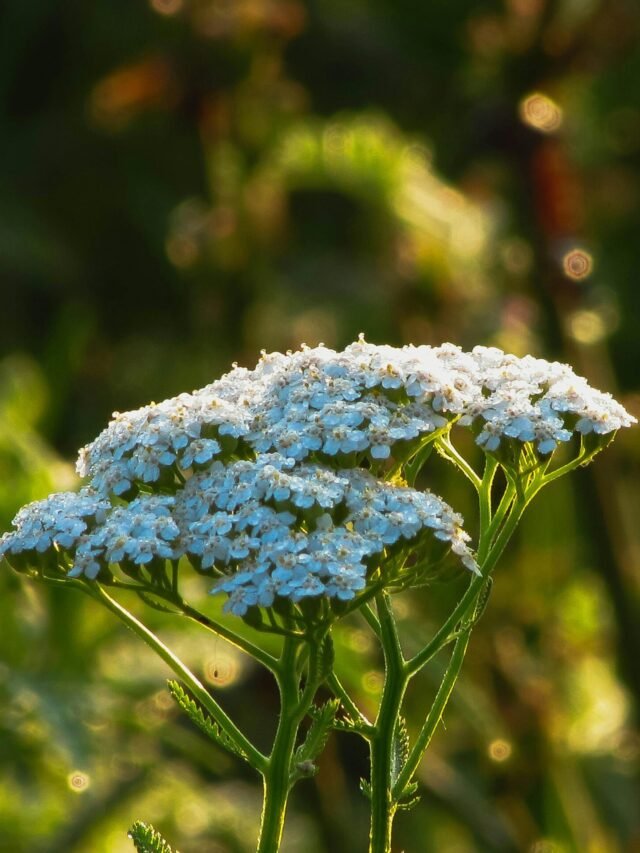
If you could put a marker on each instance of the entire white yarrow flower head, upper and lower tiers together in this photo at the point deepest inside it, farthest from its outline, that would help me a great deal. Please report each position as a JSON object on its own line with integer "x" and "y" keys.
{"x": 271, "y": 478}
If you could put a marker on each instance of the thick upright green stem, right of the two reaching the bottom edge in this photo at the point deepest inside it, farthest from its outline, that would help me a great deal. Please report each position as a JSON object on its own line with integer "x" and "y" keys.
{"x": 383, "y": 740}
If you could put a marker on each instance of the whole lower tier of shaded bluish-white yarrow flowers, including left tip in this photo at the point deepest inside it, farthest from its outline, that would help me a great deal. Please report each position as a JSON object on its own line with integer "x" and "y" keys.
{"x": 267, "y": 526}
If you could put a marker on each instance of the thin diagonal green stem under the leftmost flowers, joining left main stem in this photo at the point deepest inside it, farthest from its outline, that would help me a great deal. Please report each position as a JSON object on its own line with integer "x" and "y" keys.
{"x": 254, "y": 756}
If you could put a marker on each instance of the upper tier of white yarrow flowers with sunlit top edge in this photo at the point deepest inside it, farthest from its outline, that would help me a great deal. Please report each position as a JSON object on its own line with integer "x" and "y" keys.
{"x": 357, "y": 403}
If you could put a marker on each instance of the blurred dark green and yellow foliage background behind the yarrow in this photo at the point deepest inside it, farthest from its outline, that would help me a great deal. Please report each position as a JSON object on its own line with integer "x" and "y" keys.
{"x": 185, "y": 182}
